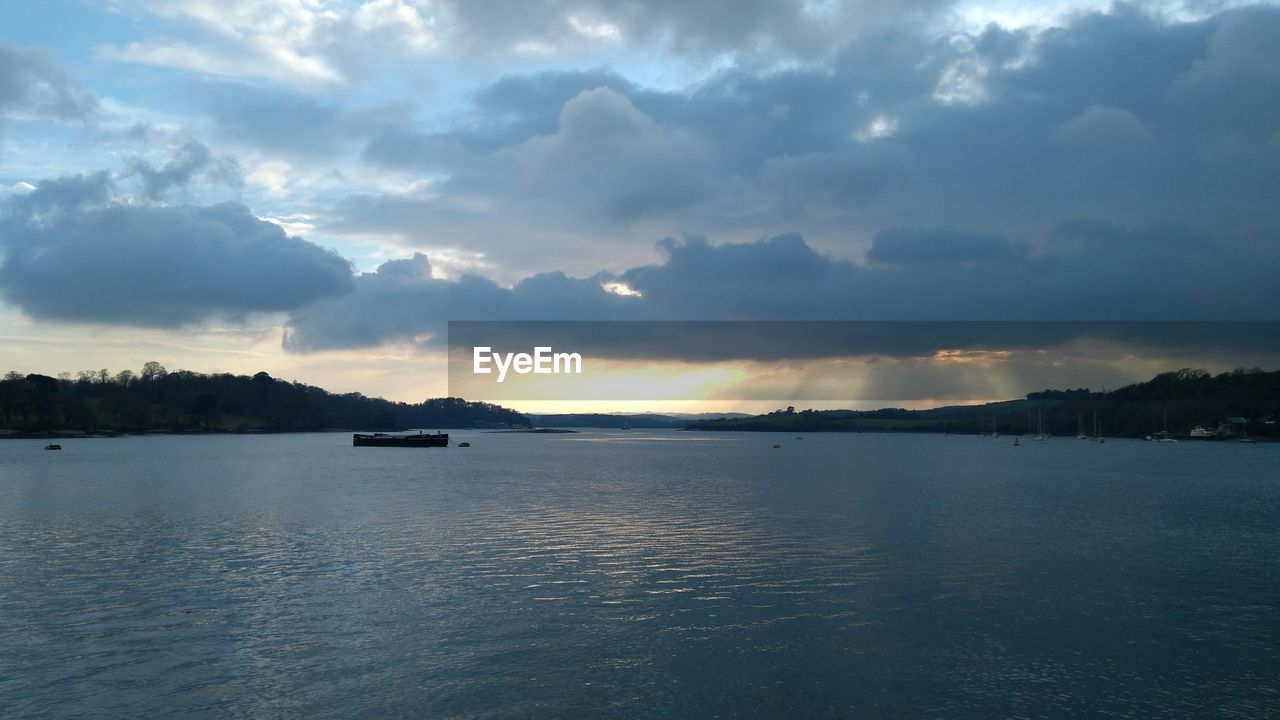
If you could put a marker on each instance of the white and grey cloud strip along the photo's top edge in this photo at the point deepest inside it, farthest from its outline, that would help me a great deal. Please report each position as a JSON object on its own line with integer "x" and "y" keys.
{"x": 326, "y": 43}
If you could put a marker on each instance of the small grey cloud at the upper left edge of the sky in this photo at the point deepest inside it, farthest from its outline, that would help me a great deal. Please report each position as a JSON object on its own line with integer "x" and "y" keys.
{"x": 33, "y": 84}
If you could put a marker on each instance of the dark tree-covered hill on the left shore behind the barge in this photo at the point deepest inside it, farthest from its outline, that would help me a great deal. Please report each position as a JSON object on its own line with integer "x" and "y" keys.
{"x": 185, "y": 402}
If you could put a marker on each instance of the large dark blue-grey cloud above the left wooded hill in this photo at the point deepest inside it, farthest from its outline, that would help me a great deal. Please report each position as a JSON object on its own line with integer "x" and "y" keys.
{"x": 74, "y": 250}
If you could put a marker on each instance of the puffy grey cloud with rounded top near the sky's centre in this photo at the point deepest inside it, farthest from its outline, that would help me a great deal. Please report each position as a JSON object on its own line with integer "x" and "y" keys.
{"x": 606, "y": 171}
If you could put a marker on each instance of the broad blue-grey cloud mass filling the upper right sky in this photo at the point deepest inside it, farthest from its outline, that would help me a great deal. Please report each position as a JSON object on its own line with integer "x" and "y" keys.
{"x": 1121, "y": 116}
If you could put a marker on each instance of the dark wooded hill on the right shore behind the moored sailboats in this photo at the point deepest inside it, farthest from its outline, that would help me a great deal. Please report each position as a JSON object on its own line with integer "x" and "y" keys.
{"x": 1190, "y": 398}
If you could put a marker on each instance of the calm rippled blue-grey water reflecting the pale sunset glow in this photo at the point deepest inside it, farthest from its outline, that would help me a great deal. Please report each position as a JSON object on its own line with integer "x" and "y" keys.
{"x": 639, "y": 575}
